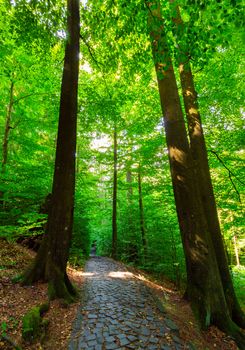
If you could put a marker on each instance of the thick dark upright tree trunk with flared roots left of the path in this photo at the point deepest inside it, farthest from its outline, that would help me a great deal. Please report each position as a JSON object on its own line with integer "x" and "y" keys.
{"x": 51, "y": 260}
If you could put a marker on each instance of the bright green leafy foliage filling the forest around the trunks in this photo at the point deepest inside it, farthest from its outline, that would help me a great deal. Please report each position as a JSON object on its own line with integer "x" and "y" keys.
{"x": 118, "y": 86}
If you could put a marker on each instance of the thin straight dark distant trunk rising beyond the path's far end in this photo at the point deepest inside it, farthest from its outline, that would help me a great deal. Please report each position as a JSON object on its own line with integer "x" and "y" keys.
{"x": 114, "y": 199}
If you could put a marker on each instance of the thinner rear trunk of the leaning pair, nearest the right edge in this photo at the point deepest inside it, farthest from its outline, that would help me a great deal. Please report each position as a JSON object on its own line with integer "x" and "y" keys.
{"x": 199, "y": 153}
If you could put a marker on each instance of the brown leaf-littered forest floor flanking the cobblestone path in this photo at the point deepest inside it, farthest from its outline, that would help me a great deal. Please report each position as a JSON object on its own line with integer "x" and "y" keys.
{"x": 16, "y": 300}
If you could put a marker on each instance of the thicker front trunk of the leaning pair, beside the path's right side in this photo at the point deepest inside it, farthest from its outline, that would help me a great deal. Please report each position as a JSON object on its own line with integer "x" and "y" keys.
{"x": 204, "y": 287}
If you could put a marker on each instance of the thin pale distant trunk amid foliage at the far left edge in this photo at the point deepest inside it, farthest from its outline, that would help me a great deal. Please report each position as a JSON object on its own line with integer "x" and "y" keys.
{"x": 7, "y": 127}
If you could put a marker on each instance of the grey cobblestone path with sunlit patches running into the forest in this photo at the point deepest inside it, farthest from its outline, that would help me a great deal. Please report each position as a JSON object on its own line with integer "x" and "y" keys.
{"x": 118, "y": 311}
